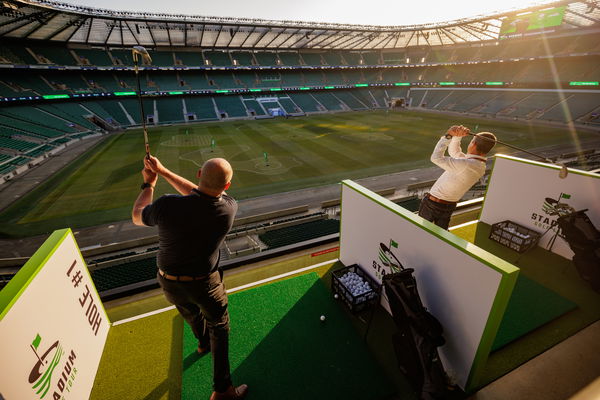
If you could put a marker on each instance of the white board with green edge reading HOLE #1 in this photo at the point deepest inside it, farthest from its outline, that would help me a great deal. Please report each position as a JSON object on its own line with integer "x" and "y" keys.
{"x": 52, "y": 324}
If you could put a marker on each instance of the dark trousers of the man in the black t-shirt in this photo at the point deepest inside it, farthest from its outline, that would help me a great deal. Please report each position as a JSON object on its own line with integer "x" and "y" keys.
{"x": 203, "y": 304}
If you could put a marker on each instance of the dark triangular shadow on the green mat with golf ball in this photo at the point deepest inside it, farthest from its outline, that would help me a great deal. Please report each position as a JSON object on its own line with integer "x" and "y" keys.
{"x": 302, "y": 357}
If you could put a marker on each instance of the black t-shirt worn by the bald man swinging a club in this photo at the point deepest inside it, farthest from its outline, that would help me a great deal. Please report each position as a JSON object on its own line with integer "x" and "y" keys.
{"x": 190, "y": 231}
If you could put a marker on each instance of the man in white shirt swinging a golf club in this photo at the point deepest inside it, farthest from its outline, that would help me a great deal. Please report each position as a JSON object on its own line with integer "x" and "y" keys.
{"x": 461, "y": 171}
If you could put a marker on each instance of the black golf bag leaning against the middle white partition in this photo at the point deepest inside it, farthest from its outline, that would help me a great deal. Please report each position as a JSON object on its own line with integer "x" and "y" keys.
{"x": 418, "y": 337}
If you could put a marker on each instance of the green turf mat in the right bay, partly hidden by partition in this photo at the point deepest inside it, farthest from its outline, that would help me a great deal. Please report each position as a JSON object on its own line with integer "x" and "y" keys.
{"x": 531, "y": 305}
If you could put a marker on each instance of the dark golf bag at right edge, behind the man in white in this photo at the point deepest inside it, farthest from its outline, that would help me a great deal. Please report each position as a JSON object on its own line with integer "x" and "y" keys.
{"x": 584, "y": 239}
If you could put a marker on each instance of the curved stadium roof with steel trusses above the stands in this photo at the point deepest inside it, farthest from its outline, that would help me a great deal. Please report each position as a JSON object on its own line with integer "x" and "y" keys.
{"x": 61, "y": 22}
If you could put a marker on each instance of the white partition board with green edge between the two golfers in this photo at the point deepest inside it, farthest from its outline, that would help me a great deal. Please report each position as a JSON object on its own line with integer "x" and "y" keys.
{"x": 463, "y": 286}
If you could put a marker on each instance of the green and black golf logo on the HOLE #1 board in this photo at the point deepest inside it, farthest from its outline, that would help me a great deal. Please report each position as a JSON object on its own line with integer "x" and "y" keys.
{"x": 42, "y": 373}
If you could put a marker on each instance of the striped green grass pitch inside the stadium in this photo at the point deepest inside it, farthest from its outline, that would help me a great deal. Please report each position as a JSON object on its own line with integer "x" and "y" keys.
{"x": 268, "y": 156}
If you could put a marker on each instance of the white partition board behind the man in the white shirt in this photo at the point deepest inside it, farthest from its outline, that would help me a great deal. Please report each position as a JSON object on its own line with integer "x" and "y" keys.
{"x": 528, "y": 192}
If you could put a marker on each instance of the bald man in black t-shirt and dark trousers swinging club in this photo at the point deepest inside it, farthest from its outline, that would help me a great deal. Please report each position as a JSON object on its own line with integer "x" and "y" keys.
{"x": 191, "y": 228}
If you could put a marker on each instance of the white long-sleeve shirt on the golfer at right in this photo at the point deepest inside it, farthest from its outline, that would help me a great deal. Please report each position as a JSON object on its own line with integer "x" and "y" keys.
{"x": 461, "y": 170}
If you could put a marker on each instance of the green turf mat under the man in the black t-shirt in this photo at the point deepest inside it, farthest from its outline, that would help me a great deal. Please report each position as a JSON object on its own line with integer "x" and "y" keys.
{"x": 281, "y": 349}
